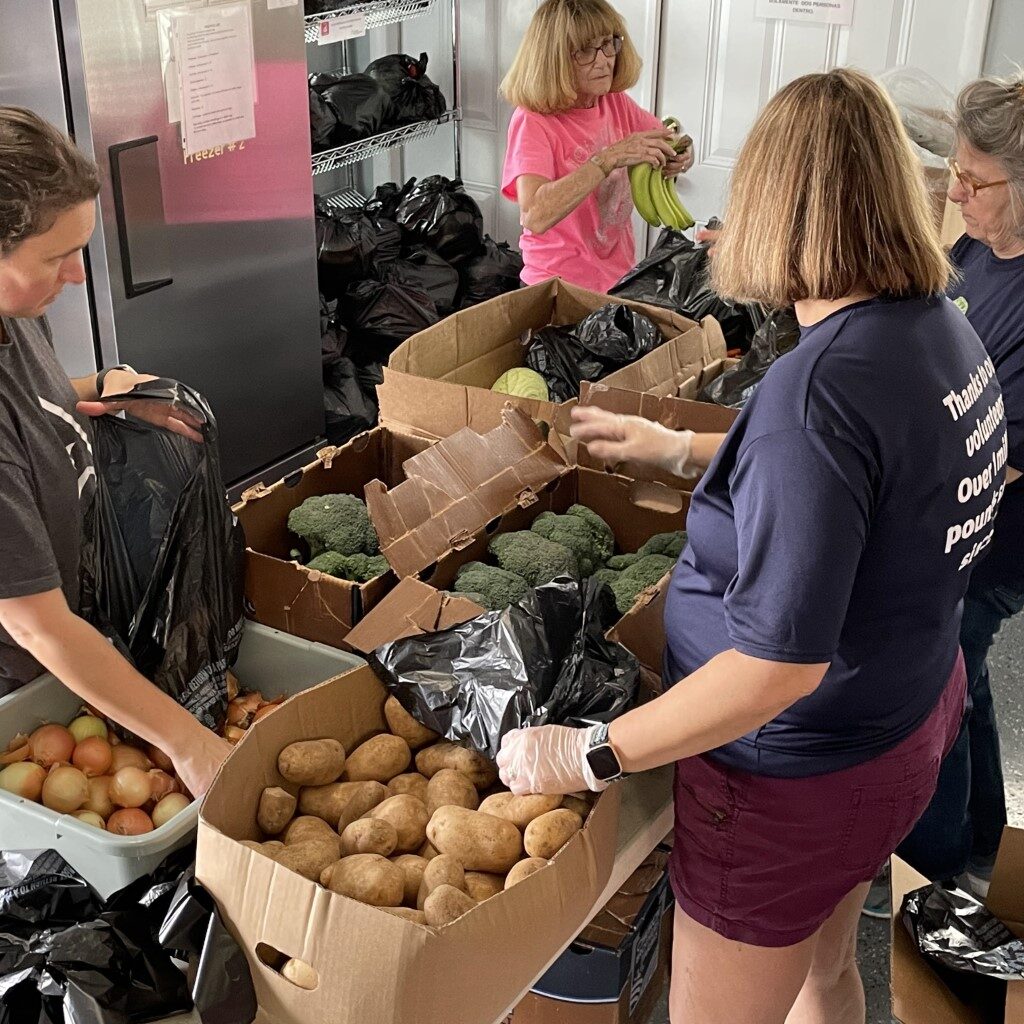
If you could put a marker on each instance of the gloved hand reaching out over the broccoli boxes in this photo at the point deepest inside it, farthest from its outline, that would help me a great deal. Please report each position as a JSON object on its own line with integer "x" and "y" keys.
{"x": 615, "y": 439}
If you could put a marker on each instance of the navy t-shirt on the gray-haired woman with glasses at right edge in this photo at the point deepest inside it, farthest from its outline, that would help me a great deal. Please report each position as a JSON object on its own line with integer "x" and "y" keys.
{"x": 992, "y": 293}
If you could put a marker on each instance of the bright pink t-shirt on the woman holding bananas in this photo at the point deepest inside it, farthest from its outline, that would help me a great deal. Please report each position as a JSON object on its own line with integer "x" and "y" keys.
{"x": 593, "y": 247}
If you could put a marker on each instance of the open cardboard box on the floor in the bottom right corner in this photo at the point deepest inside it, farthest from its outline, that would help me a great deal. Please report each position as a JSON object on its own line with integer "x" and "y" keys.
{"x": 919, "y": 995}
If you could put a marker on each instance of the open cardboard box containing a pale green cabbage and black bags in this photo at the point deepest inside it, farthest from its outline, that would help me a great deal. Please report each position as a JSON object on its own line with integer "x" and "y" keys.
{"x": 440, "y": 380}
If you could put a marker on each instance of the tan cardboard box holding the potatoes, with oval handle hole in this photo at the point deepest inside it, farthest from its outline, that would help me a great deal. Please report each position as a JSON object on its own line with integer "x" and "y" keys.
{"x": 372, "y": 966}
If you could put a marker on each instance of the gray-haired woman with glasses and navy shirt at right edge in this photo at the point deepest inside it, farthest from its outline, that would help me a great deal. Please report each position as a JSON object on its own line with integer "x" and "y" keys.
{"x": 962, "y": 829}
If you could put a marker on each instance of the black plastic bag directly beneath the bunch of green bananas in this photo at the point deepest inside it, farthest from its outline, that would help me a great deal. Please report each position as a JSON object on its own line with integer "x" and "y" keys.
{"x": 675, "y": 275}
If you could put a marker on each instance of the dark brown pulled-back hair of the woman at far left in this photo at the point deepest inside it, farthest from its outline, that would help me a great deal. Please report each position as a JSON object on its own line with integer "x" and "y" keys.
{"x": 42, "y": 175}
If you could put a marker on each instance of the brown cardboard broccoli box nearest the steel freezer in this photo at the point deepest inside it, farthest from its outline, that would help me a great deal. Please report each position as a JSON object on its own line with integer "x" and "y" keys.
{"x": 285, "y": 595}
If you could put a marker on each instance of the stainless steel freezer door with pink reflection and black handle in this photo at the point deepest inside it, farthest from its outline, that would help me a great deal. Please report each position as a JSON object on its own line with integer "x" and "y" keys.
{"x": 222, "y": 290}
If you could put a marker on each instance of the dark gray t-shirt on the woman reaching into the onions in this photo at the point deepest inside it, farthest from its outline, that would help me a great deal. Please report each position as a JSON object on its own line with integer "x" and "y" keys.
{"x": 48, "y": 481}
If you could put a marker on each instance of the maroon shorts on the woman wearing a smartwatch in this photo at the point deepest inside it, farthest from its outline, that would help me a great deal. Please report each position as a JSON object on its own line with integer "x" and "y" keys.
{"x": 767, "y": 861}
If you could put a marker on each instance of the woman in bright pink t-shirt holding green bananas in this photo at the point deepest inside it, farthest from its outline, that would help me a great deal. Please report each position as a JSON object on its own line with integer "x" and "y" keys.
{"x": 573, "y": 137}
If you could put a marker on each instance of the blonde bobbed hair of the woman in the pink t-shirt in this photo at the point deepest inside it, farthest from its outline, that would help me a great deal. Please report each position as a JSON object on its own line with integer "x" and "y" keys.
{"x": 542, "y": 78}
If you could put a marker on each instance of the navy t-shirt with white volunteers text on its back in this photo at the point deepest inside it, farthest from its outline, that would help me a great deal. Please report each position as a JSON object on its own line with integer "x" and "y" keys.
{"x": 838, "y": 525}
